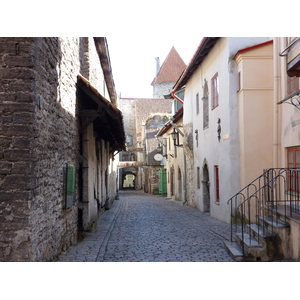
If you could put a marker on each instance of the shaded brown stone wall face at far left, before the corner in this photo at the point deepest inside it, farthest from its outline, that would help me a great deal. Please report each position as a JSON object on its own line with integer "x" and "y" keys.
{"x": 16, "y": 144}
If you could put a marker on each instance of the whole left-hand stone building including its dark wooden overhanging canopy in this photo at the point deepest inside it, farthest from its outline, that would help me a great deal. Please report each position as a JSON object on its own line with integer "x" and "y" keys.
{"x": 45, "y": 192}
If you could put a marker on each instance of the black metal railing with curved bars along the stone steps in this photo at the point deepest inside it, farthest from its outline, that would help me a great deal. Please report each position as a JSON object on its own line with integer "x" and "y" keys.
{"x": 274, "y": 194}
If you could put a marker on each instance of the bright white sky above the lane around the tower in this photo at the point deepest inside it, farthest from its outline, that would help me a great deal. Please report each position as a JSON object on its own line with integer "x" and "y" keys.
{"x": 133, "y": 60}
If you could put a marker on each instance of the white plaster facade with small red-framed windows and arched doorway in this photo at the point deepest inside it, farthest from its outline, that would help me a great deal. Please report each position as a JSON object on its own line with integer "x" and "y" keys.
{"x": 209, "y": 153}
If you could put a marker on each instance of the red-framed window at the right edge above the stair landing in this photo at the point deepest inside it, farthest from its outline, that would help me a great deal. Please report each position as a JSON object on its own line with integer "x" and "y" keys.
{"x": 293, "y": 158}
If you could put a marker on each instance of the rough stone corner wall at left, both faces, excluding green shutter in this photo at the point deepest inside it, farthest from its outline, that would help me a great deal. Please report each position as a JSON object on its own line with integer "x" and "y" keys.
{"x": 38, "y": 137}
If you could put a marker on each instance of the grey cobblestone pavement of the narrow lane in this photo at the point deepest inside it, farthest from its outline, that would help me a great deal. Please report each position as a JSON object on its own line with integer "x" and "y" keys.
{"x": 145, "y": 228}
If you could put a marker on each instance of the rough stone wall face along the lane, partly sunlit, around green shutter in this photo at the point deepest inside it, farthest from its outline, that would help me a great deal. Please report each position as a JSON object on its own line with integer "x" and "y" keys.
{"x": 56, "y": 142}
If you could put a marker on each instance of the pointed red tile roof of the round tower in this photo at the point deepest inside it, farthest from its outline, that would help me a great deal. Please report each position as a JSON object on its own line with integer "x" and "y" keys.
{"x": 171, "y": 69}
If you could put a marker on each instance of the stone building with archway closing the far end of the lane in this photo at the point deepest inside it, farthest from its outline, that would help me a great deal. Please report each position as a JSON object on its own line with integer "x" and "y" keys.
{"x": 142, "y": 120}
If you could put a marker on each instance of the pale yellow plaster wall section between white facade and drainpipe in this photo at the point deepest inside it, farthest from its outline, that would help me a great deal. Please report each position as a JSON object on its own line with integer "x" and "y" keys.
{"x": 255, "y": 112}
